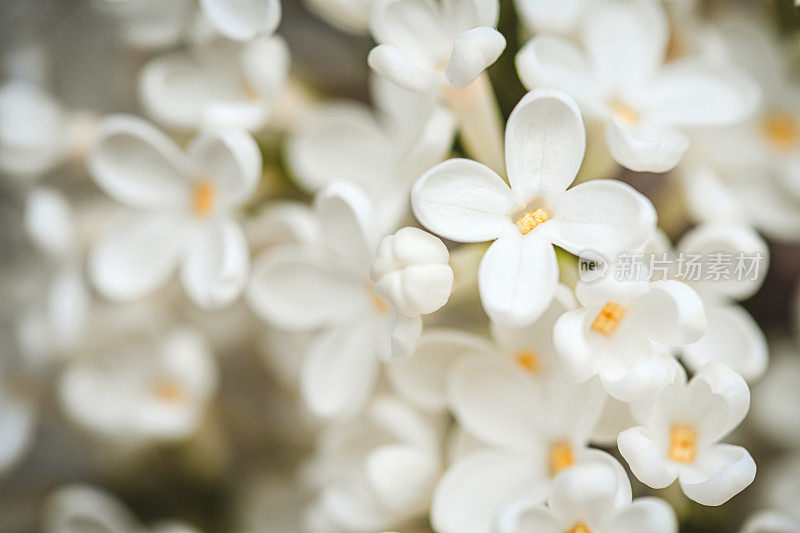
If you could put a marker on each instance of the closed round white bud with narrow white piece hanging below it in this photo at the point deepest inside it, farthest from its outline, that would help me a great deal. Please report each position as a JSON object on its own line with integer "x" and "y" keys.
{"x": 411, "y": 273}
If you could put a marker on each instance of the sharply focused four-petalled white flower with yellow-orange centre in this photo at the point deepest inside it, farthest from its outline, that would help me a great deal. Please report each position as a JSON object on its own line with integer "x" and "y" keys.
{"x": 465, "y": 201}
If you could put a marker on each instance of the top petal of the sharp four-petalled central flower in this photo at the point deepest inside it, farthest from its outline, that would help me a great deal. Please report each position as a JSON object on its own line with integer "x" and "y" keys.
{"x": 545, "y": 143}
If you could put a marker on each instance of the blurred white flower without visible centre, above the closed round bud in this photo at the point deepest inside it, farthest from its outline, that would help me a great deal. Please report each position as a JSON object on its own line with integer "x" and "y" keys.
{"x": 383, "y": 151}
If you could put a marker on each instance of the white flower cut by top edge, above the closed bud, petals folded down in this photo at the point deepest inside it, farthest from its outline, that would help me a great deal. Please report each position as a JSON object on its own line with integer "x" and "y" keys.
{"x": 426, "y": 45}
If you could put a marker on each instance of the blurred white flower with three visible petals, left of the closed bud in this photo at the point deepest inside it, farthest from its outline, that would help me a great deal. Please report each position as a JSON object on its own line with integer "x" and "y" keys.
{"x": 326, "y": 284}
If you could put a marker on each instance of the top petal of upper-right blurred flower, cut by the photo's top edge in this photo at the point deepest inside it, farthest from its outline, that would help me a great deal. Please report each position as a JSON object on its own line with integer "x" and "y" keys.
{"x": 626, "y": 41}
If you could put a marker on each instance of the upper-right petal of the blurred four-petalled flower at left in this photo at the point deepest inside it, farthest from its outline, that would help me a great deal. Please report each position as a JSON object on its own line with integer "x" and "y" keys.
{"x": 231, "y": 159}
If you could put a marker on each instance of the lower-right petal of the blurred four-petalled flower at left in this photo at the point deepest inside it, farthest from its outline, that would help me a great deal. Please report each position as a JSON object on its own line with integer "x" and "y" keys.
{"x": 217, "y": 264}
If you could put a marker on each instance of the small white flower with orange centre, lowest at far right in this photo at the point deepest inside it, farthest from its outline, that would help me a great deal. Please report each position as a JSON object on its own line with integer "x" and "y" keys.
{"x": 679, "y": 434}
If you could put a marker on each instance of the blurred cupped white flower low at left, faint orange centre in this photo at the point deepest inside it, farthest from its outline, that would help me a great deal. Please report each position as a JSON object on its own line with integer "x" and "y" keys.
{"x": 136, "y": 393}
